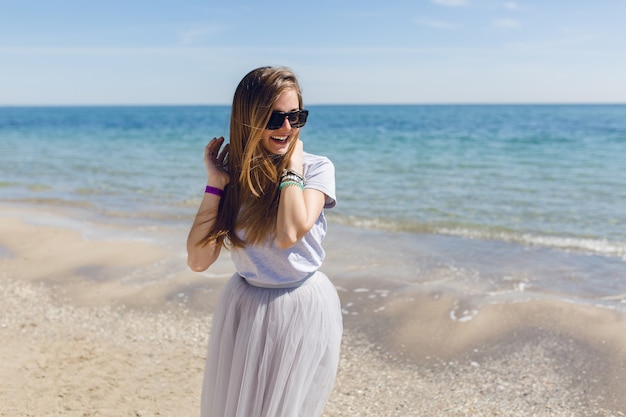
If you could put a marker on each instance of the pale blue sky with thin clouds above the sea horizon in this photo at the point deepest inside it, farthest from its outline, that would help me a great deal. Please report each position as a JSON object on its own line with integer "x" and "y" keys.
{"x": 421, "y": 51}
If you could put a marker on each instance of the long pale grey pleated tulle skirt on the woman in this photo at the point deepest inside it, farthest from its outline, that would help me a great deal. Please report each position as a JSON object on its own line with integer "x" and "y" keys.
{"x": 273, "y": 352}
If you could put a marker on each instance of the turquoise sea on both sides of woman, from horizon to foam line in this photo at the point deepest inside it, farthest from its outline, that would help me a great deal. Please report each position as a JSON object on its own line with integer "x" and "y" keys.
{"x": 549, "y": 175}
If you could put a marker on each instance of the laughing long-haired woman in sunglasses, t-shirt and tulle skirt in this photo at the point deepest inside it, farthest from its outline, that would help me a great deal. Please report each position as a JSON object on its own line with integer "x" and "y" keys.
{"x": 274, "y": 344}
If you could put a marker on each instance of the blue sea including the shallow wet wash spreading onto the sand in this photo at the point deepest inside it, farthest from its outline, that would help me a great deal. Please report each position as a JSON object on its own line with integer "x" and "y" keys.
{"x": 497, "y": 203}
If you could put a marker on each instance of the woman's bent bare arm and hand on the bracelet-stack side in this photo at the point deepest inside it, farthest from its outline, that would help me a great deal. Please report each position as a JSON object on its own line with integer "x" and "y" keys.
{"x": 297, "y": 209}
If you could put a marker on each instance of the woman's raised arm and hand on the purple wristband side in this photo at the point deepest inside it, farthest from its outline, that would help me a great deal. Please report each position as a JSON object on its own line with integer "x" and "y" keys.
{"x": 200, "y": 257}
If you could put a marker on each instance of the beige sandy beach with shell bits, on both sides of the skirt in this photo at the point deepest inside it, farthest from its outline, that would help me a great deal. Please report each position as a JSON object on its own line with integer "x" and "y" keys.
{"x": 78, "y": 340}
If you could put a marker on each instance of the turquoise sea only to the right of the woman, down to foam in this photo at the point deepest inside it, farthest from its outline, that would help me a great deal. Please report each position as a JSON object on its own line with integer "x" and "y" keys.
{"x": 541, "y": 173}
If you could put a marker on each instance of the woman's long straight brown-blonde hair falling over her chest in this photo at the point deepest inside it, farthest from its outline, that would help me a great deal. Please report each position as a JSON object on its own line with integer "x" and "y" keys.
{"x": 250, "y": 202}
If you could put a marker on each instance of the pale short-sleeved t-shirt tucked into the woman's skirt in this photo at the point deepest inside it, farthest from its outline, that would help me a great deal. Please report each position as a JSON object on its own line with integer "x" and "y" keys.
{"x": 267, "y": 264}
